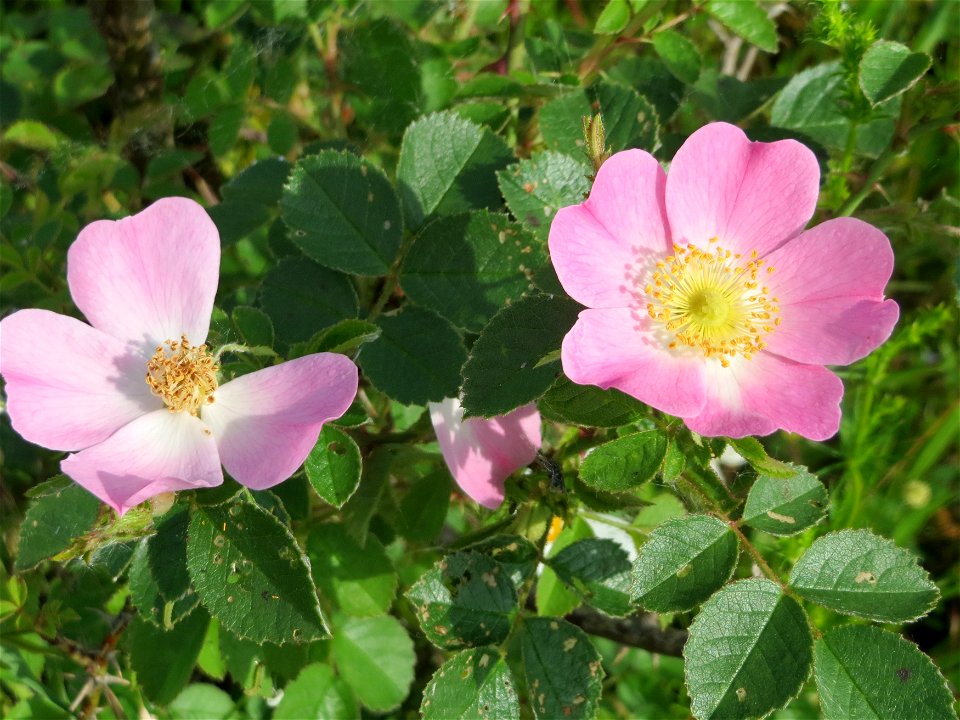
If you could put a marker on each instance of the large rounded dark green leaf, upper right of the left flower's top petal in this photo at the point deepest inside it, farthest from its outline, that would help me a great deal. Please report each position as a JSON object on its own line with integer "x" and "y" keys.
{"x": 343, "y": 213}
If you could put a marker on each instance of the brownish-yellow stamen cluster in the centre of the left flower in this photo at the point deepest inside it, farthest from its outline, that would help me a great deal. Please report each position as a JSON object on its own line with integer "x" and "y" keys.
{"x": 183, "y": 376}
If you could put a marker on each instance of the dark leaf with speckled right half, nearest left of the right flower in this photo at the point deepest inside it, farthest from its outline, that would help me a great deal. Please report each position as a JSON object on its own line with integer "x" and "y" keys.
{"x": 468, "y": 266}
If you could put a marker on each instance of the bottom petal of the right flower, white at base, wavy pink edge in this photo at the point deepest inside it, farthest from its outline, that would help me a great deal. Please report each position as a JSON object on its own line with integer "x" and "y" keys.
{"x": 767, "y": 392}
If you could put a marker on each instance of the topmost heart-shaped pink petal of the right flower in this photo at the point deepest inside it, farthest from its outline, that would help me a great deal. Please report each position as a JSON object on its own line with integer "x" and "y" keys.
{"x": 751, "y": 196}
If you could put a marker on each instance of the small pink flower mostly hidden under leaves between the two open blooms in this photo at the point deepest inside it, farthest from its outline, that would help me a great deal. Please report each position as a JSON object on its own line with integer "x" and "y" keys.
{"x": 480, "y": 453}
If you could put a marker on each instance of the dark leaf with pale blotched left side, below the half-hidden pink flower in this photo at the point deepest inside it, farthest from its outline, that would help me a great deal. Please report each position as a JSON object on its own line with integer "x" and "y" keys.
{"x": 465, "y": 600}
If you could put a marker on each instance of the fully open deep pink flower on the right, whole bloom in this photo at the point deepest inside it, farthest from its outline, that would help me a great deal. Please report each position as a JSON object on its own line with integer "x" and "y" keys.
{"x": 707, "y": 298}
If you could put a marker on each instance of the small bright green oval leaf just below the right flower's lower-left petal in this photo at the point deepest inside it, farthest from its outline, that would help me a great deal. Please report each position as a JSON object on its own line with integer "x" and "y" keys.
{"x": 624, "y": 463}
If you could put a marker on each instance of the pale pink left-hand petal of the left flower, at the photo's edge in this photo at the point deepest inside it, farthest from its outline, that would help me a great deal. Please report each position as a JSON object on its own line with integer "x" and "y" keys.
{"x": 69, "y": 385}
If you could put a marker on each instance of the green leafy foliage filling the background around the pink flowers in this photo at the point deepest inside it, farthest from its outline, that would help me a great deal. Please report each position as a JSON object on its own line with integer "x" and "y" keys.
{"x": 383, "y": 175}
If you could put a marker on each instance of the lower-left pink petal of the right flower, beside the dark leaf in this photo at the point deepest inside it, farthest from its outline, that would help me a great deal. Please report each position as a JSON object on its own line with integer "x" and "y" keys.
{"x": 619, "y": 348}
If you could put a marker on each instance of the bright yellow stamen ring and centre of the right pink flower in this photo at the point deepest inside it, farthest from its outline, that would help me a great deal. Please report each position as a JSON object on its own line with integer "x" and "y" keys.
{"x": 714, "y": 301}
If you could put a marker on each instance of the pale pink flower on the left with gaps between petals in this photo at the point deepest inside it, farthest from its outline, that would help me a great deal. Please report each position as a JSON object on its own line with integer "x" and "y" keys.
{"x": 135, "y": 393}
